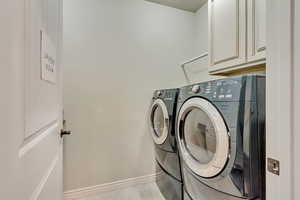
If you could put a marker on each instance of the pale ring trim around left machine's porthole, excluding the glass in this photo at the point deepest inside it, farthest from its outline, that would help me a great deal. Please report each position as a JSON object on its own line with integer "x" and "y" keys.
{"x": 159, "y": 140}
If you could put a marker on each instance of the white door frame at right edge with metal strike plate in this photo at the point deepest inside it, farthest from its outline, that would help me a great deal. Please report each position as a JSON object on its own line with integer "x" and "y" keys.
{"x": 281, "y": 101}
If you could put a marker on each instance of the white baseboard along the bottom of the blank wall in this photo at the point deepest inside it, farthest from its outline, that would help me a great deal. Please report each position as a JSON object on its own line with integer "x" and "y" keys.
{"x": 107, "y": 187}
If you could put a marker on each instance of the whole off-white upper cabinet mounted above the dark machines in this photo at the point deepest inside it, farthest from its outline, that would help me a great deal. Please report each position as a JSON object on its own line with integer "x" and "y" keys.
{"x": 236, "y": 34}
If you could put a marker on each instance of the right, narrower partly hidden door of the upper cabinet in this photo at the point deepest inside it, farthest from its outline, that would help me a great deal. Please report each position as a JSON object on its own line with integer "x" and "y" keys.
{"x": 256, "y": 30}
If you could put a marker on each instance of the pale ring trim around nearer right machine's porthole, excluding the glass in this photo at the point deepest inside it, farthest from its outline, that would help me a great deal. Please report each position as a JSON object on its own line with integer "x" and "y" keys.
{"x": 217, "y": 164}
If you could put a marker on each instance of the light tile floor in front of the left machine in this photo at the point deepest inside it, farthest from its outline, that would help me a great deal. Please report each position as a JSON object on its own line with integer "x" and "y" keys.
{"x": 140, "y": 192}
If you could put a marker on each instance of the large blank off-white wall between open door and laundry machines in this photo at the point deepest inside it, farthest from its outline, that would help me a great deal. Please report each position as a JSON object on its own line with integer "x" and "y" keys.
{"x": 115, "y": 54}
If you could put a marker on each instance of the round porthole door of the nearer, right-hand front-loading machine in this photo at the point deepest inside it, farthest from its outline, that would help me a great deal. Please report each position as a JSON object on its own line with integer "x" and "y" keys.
{"x": 203, "y": 137}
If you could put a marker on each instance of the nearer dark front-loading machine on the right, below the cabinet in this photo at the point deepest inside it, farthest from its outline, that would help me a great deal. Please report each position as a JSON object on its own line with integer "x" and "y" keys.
{"x": 220, "y": 130}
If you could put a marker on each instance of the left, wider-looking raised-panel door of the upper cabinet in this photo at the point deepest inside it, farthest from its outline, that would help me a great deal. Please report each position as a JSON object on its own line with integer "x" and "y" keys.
{"x": 227, "y": 32}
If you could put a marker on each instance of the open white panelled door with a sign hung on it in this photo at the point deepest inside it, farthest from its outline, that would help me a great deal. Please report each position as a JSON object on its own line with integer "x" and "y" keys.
{"x": 31, "y": 100}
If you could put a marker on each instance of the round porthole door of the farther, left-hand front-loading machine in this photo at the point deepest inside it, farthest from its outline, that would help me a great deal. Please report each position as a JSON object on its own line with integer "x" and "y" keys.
{"x": 159, "y": 121}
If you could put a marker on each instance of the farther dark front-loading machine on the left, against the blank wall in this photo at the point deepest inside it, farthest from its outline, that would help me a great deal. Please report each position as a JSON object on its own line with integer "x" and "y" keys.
{"x": 161, "y": 120}
